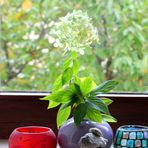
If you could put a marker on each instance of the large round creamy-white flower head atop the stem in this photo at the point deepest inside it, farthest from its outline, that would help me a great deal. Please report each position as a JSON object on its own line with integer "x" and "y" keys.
{"x": 74, "y": 32}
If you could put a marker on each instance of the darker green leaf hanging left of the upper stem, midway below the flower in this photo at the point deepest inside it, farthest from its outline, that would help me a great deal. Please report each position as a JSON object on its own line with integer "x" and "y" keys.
{"x": 67, "y": 75}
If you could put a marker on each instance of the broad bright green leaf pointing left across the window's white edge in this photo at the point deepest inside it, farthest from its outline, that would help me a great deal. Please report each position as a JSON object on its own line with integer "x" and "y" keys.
{"x": 61, "y": 96}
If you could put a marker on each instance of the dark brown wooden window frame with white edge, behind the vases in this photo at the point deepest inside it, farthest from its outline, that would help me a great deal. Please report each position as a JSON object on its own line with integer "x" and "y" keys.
{"x": 17, "y": 109}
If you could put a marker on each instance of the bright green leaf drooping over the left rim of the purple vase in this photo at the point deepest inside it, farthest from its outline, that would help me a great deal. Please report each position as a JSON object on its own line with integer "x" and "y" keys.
{"x": 63, "y": 115}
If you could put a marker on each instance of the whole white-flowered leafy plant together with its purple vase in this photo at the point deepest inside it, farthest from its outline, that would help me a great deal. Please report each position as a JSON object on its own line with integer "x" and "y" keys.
{"x": 77, "y": 96}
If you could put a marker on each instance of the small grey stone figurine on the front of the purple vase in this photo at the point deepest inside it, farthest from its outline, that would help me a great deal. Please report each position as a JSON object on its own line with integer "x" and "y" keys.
{"x": 93, "y": 139}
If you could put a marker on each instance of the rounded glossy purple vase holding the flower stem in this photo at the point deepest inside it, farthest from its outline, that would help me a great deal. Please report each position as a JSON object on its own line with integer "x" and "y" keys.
{"x": 69, "y": 135}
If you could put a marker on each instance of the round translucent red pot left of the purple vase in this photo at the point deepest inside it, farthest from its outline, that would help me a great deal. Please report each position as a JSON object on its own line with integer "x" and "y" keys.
{"x": 32, "y": 137}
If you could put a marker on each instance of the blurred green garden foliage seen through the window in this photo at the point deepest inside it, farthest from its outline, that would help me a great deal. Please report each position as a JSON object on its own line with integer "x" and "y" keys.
{"x": 28, "y": 61}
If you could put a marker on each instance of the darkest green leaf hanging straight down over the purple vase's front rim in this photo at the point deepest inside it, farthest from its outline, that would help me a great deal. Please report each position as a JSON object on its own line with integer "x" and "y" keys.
{"x": 79, "y": 113}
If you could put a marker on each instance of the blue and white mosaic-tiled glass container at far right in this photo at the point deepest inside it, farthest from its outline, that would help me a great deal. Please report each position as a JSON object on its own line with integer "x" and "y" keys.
{"x": 131, "y": 136}
